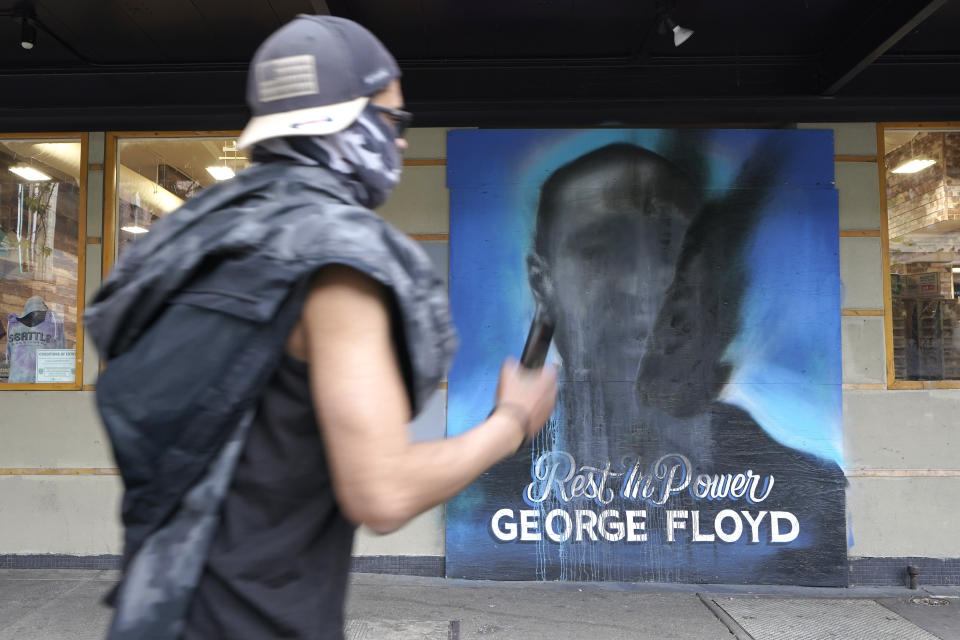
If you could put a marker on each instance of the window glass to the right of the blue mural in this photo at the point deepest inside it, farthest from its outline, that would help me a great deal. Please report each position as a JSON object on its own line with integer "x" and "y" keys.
{"x": 923, "y": 214}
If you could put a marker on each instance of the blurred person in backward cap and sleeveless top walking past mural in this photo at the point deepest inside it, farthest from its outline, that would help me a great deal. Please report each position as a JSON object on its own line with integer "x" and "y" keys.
{"x": 266, "y": 346}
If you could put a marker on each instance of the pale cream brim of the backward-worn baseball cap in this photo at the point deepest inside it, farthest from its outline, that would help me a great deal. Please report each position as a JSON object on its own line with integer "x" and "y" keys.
{"x": 315, "y": 121}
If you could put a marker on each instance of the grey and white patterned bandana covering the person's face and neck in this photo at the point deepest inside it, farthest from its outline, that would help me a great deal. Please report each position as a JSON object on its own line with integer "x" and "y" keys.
{"x": 364, "y": 156}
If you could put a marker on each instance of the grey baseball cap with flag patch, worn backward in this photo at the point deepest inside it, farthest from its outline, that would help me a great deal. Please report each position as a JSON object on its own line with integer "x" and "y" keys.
{"x": 314, "y": 76}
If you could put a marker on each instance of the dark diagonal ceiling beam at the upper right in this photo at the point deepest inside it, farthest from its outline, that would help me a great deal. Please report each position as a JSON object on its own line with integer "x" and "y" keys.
{"x": 861, "y": 45}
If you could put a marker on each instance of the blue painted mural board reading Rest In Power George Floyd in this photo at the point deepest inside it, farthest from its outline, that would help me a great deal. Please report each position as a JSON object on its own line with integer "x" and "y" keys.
{"x": 693, "y": 278}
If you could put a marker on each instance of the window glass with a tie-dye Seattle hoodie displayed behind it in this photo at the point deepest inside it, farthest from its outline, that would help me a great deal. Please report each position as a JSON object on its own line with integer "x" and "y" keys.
{"x": 39, "y": 259}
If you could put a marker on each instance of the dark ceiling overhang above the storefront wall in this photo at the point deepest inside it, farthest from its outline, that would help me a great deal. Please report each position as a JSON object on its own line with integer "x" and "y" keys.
{"x": 169, "y": 64}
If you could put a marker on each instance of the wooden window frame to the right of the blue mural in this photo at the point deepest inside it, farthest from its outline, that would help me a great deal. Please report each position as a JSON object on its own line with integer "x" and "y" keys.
{"x": 892, "y": 382}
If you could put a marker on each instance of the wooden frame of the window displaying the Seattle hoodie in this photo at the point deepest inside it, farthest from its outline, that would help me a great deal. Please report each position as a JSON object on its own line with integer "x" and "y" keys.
{"x": 82, "y": 241}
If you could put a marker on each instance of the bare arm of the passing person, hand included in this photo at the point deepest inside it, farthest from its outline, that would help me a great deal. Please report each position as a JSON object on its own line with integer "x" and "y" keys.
{"x": 380, "y": 477}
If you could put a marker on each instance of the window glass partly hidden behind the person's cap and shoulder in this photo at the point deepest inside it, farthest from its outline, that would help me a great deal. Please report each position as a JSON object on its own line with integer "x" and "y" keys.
{"x": 155, "y": 175}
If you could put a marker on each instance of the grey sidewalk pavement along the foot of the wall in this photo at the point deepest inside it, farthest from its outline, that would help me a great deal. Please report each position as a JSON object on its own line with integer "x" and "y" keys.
{"x": 64, "y": 604}
